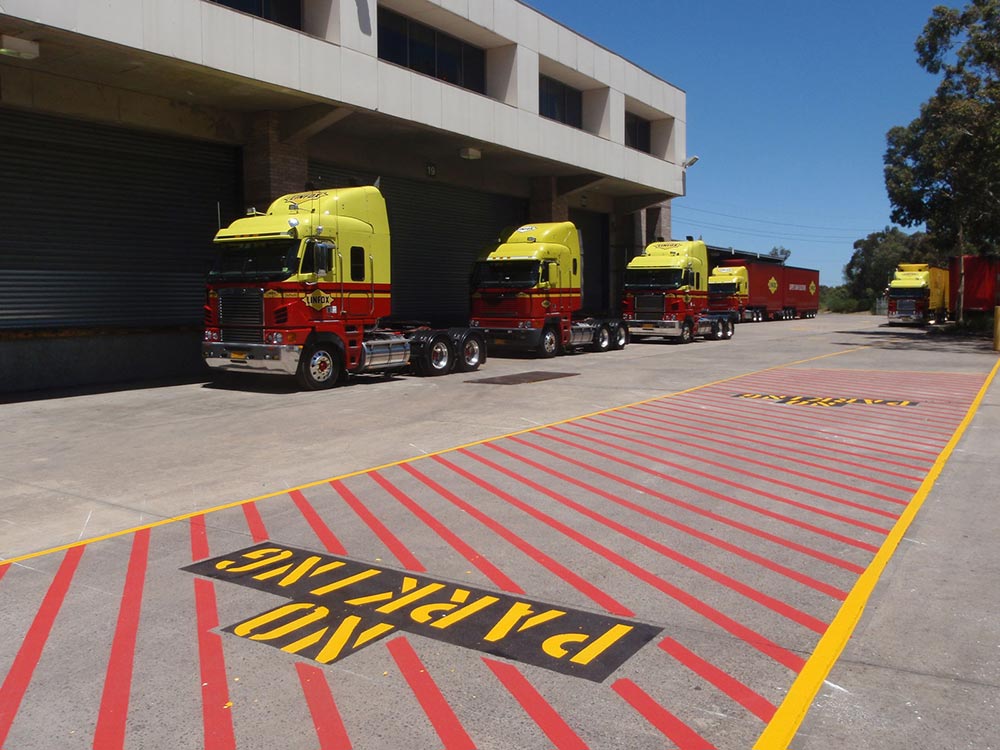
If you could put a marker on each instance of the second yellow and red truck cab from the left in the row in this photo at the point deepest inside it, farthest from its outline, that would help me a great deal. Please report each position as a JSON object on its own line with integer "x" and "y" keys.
{"x": 527, "y": 294}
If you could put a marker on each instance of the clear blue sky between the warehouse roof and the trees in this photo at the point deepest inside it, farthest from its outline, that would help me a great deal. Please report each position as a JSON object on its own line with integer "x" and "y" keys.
{"x": 788, "y": 104}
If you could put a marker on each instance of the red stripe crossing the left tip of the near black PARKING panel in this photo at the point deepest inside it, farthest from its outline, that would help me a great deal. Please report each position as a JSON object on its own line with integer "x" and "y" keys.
{"x": 216, "y": 716}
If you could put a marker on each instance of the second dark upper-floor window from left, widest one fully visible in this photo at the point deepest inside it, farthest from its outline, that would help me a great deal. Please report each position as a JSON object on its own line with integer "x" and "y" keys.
{"x": 426, "y": 50}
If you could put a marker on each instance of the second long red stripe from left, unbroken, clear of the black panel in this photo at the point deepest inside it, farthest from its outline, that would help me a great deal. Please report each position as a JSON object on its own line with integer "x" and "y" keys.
{"x": 110, "y": 730}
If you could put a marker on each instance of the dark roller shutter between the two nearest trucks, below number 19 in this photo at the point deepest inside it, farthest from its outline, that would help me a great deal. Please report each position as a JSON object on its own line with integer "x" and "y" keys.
{"x": 437, "y": 232}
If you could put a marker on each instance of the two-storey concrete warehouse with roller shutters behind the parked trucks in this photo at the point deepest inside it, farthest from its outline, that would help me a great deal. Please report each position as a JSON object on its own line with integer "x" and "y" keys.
{"x": 131, "y": 129}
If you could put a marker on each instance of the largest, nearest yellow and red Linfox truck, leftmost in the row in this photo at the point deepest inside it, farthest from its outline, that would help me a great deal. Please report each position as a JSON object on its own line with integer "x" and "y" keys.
{"x": 305, "y": 290}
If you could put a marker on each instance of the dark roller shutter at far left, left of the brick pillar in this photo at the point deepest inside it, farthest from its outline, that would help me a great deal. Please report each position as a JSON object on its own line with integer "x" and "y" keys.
{"x": 107, "y": 227}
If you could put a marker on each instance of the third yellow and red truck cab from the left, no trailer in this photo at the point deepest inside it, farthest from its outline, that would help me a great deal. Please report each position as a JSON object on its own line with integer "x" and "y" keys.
{"x": 666, "y": 294}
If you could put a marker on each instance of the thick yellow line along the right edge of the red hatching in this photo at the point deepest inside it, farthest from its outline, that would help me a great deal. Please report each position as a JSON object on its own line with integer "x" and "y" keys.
{"x": 785, "y": 723}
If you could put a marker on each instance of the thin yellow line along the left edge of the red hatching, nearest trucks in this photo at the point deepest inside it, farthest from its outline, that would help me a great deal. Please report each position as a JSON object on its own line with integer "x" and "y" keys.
{"x": 238, "y": 503}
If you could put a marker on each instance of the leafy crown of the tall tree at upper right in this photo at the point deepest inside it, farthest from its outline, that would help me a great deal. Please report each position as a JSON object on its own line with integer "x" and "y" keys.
{"x": 943, "y": 169}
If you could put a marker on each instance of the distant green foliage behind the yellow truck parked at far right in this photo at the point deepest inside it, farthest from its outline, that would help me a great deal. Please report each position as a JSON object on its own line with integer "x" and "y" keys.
{"x": 876, "y": 256}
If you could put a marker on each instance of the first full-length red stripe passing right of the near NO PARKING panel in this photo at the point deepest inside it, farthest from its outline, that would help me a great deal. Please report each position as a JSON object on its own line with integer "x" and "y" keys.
{"x": 747, "y": 635}
